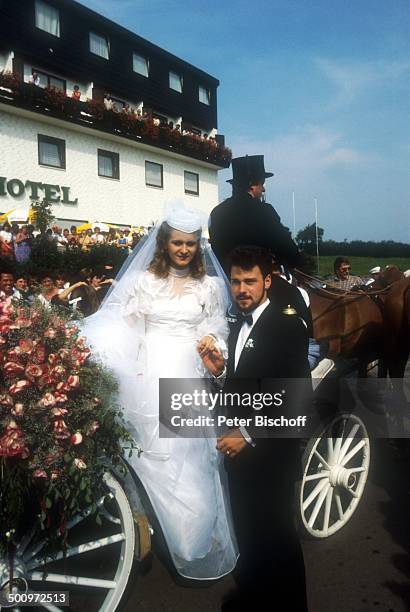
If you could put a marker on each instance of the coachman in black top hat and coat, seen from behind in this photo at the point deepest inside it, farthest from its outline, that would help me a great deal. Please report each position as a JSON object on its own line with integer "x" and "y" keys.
{"x": 246, "y": 219}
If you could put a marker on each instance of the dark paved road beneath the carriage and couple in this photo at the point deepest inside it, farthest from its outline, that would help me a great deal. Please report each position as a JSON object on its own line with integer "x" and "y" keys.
{"x": 363, "y": 568}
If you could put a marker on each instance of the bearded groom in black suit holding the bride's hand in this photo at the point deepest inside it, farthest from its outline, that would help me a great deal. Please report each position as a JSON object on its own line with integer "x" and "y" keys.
{"x": 267, "y": 342}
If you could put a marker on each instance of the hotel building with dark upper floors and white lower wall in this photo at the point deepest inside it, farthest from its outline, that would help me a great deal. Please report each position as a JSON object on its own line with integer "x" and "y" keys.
{"x": 91, "y": 161}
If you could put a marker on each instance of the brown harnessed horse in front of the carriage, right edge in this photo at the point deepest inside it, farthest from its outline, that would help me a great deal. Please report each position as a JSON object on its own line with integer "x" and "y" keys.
{"x": 365, "y": 324}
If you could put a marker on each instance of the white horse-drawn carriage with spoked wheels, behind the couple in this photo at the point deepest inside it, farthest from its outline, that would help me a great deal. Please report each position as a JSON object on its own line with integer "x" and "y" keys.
{"x": 99, "y": 566}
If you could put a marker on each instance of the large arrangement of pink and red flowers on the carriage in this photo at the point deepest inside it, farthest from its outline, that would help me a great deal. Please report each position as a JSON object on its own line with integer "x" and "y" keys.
{"x": 60, "y": 433}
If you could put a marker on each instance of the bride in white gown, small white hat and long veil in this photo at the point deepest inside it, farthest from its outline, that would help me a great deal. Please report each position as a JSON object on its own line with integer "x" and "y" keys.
{"x": 162, "y": 316}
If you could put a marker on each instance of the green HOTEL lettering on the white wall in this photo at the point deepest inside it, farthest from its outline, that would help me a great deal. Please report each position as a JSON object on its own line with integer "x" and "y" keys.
{"x": 37, "y": 191}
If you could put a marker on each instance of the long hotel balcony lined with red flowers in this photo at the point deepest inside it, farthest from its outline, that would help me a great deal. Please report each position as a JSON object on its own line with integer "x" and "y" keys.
{"x": 93, "y": 114}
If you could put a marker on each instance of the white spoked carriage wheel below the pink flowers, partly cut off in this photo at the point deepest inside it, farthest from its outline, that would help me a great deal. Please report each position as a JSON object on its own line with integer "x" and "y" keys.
{"x": 35, "y": 567}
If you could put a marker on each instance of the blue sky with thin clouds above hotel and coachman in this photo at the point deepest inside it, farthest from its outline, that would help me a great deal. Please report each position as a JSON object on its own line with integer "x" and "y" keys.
{"x": 320, "y": 87}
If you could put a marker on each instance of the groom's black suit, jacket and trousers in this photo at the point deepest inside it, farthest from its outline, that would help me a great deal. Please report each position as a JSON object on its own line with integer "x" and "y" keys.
{"x": 261, "y": 477}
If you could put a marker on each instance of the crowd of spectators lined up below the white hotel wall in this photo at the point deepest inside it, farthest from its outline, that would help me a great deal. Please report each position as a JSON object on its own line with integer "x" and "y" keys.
{"x": 16, "y": 241}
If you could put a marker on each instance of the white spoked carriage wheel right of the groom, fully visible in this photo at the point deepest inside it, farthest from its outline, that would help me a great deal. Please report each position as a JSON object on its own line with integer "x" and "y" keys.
{"x": 335, "y": 469}
